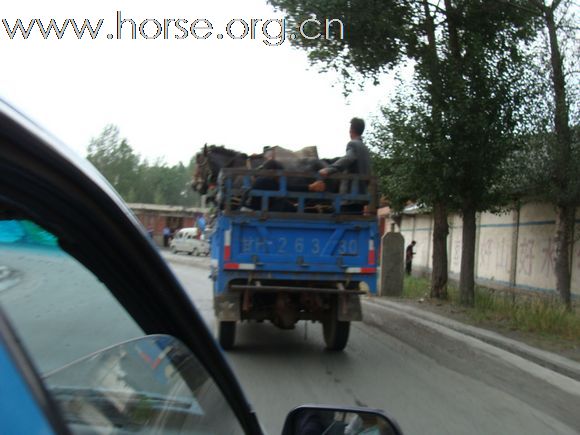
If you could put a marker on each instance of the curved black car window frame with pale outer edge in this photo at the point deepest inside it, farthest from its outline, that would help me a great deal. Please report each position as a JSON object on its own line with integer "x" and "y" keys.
{"x": 94, "y": 225}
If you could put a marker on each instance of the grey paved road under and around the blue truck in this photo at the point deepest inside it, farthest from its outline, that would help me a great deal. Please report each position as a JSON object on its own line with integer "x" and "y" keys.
{"x": 430, "y": 384}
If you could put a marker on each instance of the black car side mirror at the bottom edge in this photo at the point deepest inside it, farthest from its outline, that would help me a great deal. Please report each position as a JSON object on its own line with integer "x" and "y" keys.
{"x": 330, "y": 420}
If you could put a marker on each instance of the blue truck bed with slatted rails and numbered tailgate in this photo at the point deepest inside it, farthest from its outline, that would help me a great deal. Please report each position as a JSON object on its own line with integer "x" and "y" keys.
{"x": 294, "y": 247}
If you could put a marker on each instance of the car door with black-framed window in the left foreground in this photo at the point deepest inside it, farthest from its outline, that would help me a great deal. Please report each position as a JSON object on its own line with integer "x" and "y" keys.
{"x": 97, "y": 331}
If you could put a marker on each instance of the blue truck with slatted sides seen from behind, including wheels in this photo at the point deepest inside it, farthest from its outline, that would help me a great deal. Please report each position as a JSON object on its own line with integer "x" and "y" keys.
{"x": 295, "y": 254}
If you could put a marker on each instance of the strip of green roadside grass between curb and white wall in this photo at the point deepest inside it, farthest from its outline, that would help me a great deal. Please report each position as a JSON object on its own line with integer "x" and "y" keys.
{"x": 523, "y": 311}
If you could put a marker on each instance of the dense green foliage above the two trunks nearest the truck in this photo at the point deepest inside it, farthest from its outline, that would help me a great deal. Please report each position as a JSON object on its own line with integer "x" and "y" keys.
{"x": 450, "y": 134}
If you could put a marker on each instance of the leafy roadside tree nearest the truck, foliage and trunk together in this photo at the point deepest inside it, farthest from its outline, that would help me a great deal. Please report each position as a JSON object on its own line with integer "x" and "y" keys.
{"x": 415, "y": 124}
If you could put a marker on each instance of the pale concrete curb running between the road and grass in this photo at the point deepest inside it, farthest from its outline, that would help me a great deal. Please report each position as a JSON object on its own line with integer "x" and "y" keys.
{"x": 543, "y": 358}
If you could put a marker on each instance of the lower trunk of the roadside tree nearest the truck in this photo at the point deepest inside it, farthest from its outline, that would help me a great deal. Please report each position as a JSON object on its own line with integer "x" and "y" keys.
{"x": 440, "y": 232}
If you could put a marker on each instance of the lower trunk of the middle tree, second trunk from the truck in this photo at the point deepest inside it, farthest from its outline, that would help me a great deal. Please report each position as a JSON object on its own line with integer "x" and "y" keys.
{"x": 466, "y": 277}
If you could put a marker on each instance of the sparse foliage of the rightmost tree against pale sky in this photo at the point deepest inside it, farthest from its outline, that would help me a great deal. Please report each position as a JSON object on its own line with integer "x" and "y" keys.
{"x": 555, "y": 175}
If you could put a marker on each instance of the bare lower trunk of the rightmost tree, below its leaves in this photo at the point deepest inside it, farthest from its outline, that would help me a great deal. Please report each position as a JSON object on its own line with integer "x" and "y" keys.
{"x": 564, "y": 235}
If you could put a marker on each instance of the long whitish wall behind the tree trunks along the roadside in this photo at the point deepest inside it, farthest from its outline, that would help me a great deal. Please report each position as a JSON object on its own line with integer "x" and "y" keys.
{"x": 511, "y": 250}
